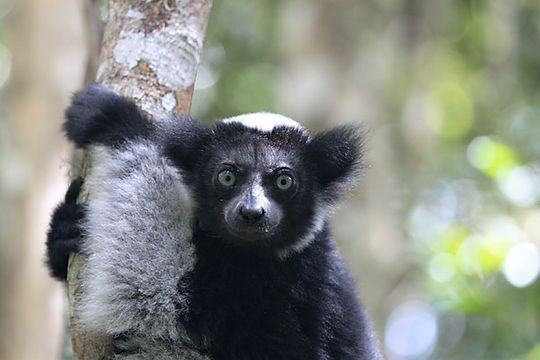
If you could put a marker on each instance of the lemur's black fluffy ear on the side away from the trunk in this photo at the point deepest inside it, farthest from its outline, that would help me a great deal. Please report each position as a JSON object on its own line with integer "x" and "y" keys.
{"x": 336, "y": 155}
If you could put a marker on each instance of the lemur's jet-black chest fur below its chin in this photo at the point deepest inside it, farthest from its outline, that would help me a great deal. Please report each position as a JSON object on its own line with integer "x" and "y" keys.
{"x": 252, "y": 306}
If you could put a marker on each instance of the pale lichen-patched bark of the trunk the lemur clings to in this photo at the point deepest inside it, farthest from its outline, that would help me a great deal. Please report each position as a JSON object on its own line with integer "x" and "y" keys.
{"x": 150, "y": 53}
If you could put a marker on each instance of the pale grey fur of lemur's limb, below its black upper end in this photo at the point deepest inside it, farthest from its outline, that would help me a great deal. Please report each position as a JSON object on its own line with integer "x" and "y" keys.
{"x": 138, "y": 240}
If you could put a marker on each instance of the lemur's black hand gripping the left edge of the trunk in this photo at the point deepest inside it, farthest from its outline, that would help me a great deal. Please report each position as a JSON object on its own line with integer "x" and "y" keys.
{"x": 65, "y": 231}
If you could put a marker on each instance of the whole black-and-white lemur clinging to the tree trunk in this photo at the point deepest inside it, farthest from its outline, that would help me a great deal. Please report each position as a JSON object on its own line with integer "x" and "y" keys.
{"x": 177, "y": 270}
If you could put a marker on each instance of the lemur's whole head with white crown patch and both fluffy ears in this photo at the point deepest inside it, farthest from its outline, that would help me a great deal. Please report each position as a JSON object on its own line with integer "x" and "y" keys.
{"x": 261, "y": 180}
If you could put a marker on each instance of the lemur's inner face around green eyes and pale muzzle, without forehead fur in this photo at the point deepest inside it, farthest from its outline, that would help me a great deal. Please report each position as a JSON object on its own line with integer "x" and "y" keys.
{"x": 254, "y": 190}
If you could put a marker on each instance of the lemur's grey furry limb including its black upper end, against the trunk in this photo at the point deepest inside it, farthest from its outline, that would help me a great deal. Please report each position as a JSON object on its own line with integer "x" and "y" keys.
{"x": 137, "y": 224}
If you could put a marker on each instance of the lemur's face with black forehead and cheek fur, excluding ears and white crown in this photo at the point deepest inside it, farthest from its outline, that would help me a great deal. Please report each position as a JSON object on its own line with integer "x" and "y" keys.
{"x": 255, "y": 188}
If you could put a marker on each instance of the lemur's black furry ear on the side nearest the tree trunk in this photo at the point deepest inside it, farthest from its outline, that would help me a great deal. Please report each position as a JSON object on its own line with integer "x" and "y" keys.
{"x": 184, "y": 141}
